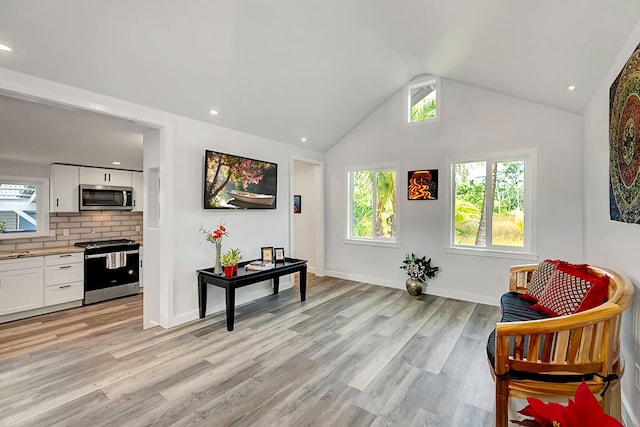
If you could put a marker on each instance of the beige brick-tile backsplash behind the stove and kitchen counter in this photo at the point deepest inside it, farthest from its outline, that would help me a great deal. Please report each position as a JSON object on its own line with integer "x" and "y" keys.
{"x": 83, "y": 226}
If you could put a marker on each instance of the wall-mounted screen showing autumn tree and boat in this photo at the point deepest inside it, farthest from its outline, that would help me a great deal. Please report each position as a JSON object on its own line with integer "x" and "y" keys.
{"x": 234, "y": 182}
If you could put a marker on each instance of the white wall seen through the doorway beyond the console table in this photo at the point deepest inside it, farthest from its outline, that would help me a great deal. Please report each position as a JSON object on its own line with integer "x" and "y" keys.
{"x": 304, "y": 223}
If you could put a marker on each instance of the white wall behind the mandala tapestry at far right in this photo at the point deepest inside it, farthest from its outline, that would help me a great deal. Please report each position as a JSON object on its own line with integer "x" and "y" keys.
{"x": 611, "y": 243}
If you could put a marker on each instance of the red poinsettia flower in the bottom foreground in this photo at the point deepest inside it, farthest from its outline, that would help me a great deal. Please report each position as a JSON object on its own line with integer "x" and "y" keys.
{"x": 584, "y": 412}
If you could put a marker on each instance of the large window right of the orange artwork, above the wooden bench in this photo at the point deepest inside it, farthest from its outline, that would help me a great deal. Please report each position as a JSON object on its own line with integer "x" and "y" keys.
{"x": 492, "y": 204}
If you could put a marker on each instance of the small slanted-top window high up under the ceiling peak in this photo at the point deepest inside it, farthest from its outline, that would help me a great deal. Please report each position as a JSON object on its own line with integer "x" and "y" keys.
{"x": 421, "y": 100}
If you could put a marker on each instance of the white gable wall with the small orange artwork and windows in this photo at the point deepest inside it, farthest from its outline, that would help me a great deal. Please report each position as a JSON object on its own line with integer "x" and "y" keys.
{"x": 474, "y": 122}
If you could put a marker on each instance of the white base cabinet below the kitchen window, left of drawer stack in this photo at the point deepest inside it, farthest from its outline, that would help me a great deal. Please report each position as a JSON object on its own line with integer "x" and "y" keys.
{"x": 21, "y": 285}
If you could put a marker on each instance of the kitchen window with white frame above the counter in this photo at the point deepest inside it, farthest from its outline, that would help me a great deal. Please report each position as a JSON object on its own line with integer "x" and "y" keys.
{"x": 24, "y": 207}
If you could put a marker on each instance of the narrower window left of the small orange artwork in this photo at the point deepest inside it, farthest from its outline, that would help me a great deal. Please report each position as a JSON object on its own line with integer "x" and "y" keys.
{"x": 372, "y": 205}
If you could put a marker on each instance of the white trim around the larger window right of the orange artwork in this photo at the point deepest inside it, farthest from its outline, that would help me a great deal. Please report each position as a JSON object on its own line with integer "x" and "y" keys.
{"x": 530, "y": 249}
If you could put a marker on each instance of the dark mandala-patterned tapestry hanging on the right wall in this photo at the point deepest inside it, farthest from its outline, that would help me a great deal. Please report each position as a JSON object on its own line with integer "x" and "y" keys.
{"x": 624, "y": 152}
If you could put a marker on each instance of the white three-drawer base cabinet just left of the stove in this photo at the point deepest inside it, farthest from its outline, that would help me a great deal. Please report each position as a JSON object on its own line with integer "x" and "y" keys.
{"x": 63, "y": 278}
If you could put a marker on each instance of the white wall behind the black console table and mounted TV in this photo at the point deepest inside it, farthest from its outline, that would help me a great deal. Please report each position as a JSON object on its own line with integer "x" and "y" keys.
{"x": 248, "y": 230}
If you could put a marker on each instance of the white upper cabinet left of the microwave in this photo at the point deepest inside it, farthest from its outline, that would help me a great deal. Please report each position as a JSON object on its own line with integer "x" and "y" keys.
{"x": 63, "y": 188}
